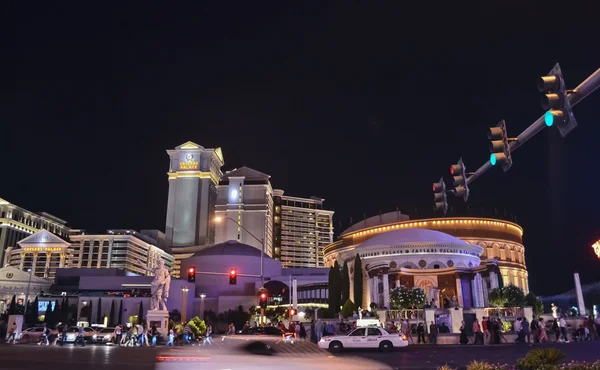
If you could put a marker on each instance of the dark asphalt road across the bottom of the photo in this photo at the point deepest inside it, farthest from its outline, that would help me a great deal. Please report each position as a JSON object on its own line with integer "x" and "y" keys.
{"x": 32, "y": 357}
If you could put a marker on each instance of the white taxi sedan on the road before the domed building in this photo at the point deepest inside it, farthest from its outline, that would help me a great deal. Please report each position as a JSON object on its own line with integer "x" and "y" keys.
{"x": 364, "y": 337}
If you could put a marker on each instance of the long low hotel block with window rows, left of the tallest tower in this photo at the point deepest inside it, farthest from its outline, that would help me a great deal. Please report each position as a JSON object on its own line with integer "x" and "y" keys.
{"x": 122, "y": 249}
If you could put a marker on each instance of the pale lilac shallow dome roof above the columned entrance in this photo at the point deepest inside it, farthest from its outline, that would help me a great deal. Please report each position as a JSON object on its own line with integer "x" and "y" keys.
{"x": 411, "y": 236}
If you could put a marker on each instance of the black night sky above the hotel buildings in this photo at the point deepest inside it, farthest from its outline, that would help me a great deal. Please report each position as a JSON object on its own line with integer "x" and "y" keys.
{"x": 362, "y": 105}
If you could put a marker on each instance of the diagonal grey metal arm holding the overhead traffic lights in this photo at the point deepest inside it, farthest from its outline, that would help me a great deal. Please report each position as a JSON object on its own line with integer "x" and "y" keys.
{"x": 581, "y": 92}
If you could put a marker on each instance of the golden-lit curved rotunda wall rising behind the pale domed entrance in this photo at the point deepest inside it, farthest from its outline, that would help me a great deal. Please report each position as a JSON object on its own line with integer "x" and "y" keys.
{"x": 501, "y": 240}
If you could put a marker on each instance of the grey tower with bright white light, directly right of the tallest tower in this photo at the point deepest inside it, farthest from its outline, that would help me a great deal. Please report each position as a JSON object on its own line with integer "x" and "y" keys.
{"x": 244, "y": 208}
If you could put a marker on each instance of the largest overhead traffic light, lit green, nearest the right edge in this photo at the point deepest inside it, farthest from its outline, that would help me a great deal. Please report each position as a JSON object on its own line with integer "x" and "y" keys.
{"x": 555, "y": 101}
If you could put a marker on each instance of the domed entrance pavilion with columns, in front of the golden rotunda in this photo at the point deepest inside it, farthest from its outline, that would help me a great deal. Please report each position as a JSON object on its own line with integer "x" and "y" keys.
{"x": 451, "y": 271}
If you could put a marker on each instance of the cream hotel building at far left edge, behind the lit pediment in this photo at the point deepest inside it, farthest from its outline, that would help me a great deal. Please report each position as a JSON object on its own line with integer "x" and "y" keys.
{"x": 17, "y": 223}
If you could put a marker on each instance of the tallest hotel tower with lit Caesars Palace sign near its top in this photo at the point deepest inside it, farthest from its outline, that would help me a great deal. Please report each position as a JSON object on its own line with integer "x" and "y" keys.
{"x": 194, "y": 174}
